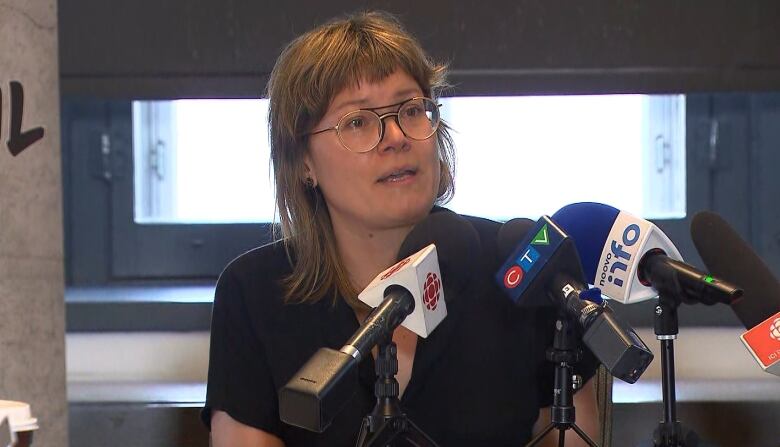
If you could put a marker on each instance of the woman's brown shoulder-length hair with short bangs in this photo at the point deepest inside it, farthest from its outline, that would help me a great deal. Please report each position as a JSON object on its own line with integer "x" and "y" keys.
{"x": 310, "y": 71}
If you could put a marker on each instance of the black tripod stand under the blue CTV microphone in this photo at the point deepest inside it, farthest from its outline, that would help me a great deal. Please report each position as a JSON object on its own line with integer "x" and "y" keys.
{"x": 565, "y": 353}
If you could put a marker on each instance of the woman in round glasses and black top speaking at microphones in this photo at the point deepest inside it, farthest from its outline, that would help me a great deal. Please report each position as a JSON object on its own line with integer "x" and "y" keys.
{"x": 360, "y": 156}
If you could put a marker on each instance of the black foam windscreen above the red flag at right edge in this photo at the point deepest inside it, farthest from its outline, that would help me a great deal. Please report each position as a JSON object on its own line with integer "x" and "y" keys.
{"x": 729, "y": 257}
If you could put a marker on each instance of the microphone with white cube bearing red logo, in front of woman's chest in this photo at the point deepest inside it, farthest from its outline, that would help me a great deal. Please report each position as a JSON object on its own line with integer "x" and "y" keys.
{"x": 409, "y": 293}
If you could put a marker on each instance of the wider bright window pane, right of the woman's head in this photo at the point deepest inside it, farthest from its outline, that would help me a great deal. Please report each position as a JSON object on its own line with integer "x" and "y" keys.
{"x": 528, "y": 156}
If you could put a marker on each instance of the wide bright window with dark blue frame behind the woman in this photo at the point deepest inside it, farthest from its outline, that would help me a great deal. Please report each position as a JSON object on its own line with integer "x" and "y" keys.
{"x": 701, "y": 151}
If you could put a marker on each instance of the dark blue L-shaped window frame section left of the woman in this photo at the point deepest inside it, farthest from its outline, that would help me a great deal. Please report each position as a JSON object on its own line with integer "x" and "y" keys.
{"x": 112, "y": 247}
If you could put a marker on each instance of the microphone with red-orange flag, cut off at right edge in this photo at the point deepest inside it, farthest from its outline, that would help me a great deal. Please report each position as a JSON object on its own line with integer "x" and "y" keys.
{"x": 726, "y": 254}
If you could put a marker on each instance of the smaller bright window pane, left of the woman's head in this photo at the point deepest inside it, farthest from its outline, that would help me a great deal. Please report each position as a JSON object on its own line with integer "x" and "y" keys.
{"x": 202, "y": 161}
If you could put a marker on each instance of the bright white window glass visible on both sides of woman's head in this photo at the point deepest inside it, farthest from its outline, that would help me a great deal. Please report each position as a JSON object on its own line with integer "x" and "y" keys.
{"x": 207, "y": 161}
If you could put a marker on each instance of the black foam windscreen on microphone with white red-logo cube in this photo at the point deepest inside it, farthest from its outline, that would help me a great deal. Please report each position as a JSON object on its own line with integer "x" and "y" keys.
{"x": 457, "y": 246}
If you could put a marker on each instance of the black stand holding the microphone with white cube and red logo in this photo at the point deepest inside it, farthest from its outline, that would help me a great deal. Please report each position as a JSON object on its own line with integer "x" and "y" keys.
{"x": 387, "y": 423}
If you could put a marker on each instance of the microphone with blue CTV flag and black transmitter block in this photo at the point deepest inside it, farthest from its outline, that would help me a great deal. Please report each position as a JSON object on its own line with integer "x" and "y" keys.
{"x": 546, "y": 263}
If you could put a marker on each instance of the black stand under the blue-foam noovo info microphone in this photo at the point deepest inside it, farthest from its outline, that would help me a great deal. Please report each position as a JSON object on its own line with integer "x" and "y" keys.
{"x": 670, "y": 432}
